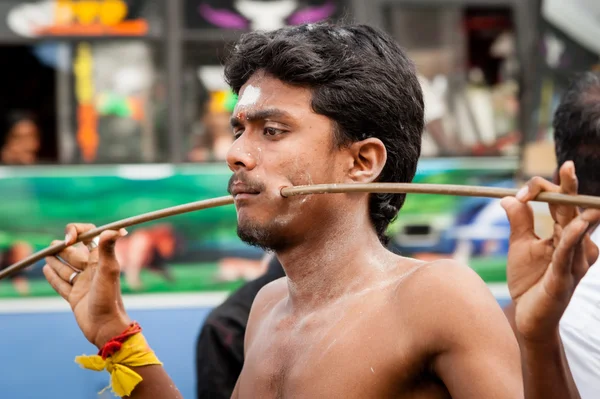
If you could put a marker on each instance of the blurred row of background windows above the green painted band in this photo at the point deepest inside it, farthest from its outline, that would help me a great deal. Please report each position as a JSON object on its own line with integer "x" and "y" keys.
{"x": 131, "y": 81}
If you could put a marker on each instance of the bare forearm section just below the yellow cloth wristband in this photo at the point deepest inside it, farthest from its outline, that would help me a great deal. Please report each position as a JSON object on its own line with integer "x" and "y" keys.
{"x": 156, "y": 384}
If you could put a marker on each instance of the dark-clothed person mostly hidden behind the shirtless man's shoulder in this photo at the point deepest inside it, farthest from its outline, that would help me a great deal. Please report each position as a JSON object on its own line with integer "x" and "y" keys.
{"x": 220, "y": 345}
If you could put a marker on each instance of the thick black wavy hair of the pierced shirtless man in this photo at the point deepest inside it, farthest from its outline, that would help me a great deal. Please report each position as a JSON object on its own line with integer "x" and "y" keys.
{"x": 360, "y": 78}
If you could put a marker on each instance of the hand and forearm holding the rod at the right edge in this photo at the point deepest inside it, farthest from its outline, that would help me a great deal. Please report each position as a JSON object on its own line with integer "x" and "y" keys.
{"x": 542, "y": 275}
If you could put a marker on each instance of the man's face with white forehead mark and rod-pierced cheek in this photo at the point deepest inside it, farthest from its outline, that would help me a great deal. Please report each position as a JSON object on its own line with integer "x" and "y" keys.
{"x": 281, "y": 142}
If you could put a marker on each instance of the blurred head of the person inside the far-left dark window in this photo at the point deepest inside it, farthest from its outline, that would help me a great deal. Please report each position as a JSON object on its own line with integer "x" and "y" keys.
{"x": 20, "y": 139}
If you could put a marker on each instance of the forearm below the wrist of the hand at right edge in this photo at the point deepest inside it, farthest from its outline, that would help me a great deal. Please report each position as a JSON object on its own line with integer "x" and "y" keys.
{"x": 546, "y": 371}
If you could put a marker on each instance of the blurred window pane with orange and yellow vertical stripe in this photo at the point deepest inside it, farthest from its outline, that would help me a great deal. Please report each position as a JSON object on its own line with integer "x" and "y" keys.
{"x": 119, "y": 98}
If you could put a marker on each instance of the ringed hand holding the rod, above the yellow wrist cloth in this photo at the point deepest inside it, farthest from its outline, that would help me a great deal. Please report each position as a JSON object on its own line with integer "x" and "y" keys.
{"x": 94, "y": 293}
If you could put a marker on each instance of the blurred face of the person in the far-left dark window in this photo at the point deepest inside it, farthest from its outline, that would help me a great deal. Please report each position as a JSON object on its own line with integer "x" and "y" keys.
{"x": 22, "y": 144}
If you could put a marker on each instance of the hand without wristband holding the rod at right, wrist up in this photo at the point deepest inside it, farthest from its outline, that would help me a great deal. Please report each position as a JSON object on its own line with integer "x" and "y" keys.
{"x": 542, "y": 274}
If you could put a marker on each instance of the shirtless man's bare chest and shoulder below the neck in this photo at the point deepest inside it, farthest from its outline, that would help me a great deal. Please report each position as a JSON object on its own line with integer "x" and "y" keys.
{"x": 387, "y": 339}
